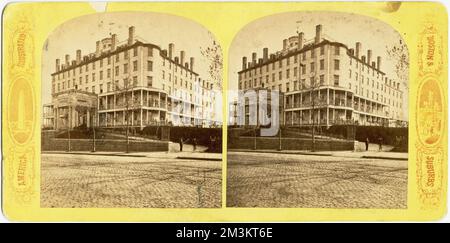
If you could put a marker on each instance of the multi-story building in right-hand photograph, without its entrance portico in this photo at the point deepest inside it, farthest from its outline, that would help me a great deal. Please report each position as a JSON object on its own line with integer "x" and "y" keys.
{"x": 326, "y": 81}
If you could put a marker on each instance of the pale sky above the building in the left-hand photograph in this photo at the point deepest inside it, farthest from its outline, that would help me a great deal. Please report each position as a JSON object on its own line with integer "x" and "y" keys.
{"x": 159, "y": 29}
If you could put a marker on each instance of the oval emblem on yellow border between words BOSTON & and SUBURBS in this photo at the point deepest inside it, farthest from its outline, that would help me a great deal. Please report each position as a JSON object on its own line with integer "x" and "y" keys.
{"x": 430, "y": 123}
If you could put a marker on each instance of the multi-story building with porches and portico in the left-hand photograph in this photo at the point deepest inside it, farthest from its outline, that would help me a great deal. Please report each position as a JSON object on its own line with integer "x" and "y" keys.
{"x": 151, "y": 85}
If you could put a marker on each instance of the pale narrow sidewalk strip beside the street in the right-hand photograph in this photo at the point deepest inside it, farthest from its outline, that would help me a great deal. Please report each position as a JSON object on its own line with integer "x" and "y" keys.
{"x": 348, "y": 154}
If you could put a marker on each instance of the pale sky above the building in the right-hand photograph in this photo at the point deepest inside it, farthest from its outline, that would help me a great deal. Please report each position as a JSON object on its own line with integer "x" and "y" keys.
{"x": 342, "y": 27}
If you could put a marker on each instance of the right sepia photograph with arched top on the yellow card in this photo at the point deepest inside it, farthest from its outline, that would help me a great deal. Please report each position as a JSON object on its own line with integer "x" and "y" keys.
{"x": 318, "y": 113}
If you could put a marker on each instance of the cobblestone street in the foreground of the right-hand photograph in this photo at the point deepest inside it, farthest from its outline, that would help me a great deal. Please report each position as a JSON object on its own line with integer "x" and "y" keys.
{"x": 308, "y": 181}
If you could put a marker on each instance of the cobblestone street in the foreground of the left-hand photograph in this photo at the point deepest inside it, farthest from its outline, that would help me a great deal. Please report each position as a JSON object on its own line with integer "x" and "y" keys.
{"x": 88, "y": 181}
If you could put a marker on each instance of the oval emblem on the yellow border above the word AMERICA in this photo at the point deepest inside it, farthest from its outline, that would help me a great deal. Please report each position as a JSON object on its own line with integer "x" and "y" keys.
{"x": 21, "y": 111}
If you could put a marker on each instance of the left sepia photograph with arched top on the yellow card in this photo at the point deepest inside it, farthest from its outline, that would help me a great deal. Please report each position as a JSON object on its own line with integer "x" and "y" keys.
{"x": 131, "y": 113}
